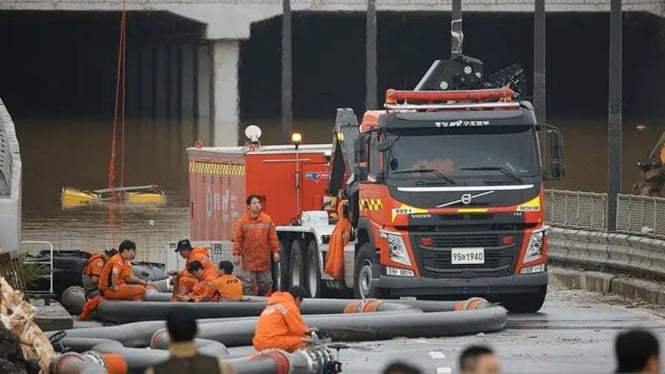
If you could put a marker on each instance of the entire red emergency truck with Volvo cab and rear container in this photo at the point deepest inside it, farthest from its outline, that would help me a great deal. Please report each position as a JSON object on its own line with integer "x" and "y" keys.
{"x": 444, "y": 191}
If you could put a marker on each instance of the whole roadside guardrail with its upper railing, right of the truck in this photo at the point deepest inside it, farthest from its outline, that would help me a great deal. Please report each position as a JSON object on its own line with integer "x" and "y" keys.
{"x": 579, "y": 236}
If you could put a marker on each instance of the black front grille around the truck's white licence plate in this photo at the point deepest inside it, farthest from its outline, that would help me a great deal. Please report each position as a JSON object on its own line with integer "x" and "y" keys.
{"x": 435, "y": 261}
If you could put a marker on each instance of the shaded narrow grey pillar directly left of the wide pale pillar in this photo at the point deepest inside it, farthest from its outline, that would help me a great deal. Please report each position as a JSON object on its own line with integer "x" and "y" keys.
{"x": 203, "y": 93}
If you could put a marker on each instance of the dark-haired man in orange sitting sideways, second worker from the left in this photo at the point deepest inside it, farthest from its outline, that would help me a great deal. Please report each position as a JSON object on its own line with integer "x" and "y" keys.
{"x": 117, "y": 280}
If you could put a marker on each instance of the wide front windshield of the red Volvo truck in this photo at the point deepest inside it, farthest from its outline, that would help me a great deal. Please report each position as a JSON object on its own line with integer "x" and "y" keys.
{"x": 494, "y": 152}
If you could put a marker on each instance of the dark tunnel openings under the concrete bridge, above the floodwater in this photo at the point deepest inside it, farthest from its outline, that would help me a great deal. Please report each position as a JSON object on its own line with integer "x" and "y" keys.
{"x": 65, "y": 63}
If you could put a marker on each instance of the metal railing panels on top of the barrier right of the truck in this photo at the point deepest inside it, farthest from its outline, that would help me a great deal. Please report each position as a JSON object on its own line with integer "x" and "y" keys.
{"x": 637, "y": 215}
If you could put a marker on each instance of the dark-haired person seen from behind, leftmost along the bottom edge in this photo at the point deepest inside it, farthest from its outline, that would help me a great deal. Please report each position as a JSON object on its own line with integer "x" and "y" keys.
{"x": 183, "y": 357}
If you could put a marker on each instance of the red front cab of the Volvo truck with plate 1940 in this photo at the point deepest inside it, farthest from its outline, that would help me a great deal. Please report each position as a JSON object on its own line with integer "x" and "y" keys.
{"x": 450, "y": 201}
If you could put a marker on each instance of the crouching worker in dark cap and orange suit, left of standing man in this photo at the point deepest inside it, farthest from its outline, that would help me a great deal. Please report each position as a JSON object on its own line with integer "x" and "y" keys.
{"x": 184, "y": 280}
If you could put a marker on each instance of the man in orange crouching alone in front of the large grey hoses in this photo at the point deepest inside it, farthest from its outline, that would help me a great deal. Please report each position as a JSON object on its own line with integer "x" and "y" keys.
{"x": 280, "y": 324}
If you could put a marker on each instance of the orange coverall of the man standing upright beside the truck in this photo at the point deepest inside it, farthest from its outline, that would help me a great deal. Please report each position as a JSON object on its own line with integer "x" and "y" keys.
{"x": 252, "y": 239}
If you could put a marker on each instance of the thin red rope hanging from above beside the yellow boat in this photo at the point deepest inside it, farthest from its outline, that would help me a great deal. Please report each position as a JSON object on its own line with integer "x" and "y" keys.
{"x": 119, "y": 111}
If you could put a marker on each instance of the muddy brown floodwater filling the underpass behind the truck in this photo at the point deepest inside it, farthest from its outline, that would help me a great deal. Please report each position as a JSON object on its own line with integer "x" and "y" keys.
{"x": 56, "y": 153}
